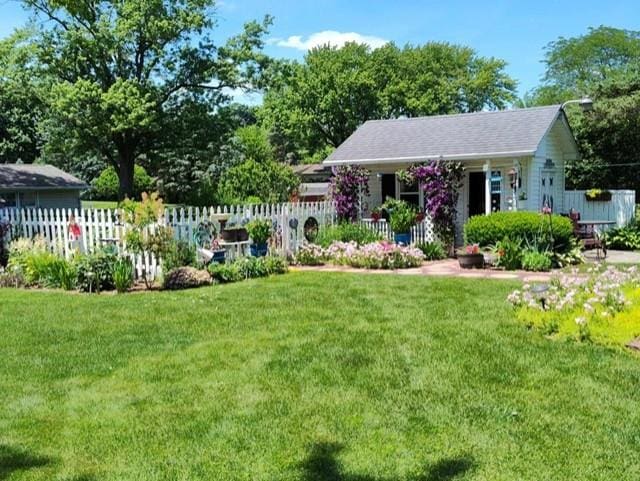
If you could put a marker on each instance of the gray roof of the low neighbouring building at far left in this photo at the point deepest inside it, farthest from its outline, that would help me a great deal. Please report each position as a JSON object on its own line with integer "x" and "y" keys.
{"x": 37, "y": 177}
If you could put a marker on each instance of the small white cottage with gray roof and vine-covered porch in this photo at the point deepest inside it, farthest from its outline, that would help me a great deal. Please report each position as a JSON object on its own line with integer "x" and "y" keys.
{"x": 513, "y": 159}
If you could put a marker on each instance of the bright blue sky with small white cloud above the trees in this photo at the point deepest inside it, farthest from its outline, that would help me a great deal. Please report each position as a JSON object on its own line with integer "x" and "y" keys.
{"x": 515, "y": 31}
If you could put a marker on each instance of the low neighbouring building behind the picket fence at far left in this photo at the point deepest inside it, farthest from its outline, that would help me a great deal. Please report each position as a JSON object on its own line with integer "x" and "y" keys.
{"x": 32, "y": 185}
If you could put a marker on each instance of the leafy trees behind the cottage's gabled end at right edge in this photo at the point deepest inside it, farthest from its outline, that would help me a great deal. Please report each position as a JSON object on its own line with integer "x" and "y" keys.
{"x": 603, "y": 64}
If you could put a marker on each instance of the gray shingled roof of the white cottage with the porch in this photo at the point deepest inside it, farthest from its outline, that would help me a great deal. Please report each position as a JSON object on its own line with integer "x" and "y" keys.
{"x": 505, "y": 133}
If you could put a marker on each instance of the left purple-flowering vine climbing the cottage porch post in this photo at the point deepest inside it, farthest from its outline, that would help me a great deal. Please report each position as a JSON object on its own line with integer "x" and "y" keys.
{"x": 348, "y": 184}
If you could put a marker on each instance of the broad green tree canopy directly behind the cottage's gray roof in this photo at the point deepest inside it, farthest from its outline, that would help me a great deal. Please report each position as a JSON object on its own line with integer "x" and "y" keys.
{"x": 317, "y": 104}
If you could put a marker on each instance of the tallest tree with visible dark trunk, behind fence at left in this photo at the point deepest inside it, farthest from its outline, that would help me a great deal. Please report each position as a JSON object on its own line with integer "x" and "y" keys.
{"x": 121, "y": 66}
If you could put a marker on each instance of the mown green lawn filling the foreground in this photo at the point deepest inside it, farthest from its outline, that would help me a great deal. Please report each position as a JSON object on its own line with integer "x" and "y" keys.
{"x": 309, "y": 377}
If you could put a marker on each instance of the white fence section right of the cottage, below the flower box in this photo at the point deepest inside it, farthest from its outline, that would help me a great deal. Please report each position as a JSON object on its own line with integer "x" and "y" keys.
{"x": 621, "y": 207}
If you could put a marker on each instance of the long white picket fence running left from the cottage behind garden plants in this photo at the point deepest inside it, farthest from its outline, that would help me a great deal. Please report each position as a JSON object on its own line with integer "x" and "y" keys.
{"x": 103, "y": 227}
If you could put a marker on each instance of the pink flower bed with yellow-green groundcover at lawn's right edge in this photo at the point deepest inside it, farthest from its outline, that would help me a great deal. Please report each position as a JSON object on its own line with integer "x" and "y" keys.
{"x": 603, "y": 306}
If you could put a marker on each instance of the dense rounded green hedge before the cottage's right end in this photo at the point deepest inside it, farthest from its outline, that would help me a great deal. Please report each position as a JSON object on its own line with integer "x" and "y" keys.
{"x": 487, "y": 230}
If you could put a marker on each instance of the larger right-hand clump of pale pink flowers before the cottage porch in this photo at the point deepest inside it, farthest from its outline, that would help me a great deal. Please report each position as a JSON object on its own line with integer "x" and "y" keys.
{"x": 376, "y": 255}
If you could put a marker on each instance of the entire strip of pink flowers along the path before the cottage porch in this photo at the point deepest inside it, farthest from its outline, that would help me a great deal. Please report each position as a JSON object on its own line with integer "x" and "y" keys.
{"x": 375, "y": 255}
